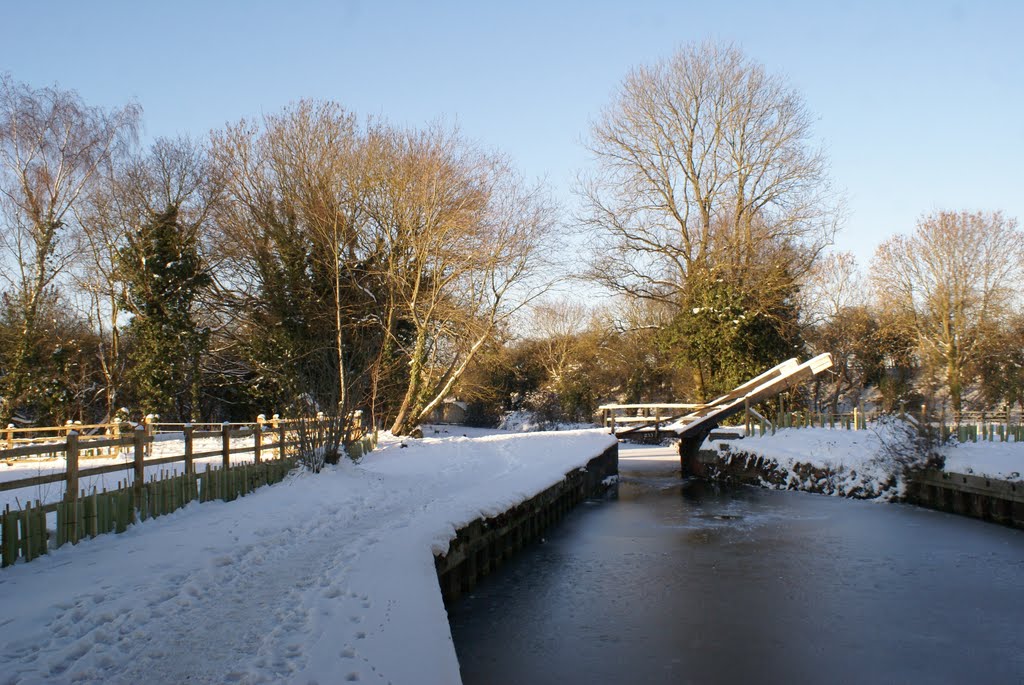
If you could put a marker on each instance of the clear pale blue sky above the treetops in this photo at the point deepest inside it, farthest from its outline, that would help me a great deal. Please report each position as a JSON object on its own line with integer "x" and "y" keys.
{"x": 920, "y": 105}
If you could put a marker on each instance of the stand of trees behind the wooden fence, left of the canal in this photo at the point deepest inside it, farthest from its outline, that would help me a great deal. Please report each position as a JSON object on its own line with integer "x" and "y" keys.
{"x": 302, "y": 262}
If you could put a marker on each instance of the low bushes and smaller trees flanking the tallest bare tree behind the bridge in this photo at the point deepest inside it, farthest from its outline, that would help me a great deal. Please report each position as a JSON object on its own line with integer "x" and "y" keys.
{"x": 935, "y": 319}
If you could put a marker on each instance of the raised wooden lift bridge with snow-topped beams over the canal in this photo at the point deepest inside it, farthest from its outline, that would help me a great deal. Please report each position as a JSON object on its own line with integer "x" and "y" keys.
{"x": 693, "y": 423}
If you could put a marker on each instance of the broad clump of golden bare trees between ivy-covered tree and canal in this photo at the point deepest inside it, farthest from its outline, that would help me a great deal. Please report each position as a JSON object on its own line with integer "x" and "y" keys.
{"x": 405, "y": 249}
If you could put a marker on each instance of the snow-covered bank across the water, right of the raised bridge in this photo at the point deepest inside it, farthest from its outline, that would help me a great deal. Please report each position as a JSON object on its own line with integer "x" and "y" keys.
{"x": 864, "y": 463}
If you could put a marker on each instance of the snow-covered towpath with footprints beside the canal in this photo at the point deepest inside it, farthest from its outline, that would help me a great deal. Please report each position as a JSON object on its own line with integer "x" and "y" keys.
{"x": 321, "y": 579}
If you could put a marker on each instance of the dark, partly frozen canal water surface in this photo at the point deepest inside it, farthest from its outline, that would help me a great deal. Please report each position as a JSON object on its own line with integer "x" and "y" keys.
{"x": 678, "y": 583}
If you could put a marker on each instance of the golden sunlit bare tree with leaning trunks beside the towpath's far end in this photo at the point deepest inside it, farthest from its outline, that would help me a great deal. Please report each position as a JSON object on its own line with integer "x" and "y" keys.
{"x": 462, "y": 238}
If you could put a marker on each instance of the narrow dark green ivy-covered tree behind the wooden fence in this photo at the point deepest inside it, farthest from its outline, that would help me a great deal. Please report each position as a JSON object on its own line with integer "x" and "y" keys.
{"x": 163, "y": 275}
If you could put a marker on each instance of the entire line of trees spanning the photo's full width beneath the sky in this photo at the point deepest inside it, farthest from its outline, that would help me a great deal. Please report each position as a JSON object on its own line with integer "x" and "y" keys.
{"x": 310, "y": 261}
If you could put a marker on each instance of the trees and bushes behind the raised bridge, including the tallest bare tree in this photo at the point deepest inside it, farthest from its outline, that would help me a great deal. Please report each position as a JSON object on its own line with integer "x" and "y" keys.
{"x": 713, "y": 212}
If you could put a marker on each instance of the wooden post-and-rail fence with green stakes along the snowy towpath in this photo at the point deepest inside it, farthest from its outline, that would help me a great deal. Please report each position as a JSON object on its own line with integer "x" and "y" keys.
{"x": 79, "y": 515}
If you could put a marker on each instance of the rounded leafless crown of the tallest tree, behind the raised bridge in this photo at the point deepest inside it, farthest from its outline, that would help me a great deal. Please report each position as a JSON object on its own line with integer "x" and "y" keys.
{"x": 705, "y": 164}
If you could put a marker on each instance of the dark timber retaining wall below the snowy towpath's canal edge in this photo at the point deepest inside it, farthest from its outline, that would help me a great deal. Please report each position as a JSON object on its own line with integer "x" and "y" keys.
{"x": 483, "y": 545}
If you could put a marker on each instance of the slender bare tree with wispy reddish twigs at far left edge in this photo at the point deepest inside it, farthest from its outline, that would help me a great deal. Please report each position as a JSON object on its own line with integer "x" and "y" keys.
{"x": 52, "y": 146}
